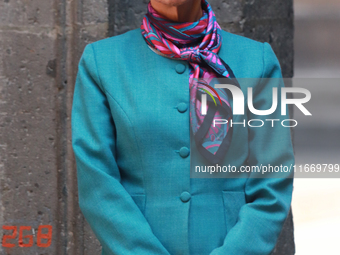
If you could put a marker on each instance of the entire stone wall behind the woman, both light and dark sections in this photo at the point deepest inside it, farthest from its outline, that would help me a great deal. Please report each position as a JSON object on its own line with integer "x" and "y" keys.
{"x": 41, "y": 42}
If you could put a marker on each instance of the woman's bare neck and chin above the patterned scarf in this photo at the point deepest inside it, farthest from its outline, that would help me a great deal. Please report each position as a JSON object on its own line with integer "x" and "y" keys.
{"x": 179, "y": 10}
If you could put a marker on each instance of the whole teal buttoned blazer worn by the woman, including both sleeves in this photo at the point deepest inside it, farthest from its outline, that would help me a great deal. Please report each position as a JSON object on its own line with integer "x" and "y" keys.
{"x": 131, "y": 141}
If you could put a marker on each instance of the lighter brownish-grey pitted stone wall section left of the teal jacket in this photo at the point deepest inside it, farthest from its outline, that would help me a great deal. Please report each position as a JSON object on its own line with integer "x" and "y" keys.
{"x": 41, "y": 43}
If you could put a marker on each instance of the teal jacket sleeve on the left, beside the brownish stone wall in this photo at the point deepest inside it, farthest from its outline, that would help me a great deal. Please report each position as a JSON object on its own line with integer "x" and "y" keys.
{"x": 111, "y": 212}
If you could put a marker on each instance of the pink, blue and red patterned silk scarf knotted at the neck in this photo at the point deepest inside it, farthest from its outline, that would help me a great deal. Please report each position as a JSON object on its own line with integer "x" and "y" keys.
{"x": 198, "y": 43}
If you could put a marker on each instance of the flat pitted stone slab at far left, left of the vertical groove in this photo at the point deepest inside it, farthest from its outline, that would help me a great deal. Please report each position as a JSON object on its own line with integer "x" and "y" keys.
{"x": 28, "y": 134}
